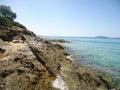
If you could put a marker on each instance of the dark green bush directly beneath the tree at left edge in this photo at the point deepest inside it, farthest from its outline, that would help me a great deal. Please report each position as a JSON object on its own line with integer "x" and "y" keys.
{"x": 6, "y": 22}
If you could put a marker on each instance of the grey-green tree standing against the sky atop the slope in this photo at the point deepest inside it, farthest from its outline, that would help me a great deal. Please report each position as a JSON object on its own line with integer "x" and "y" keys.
{"x": 6, "y": 11}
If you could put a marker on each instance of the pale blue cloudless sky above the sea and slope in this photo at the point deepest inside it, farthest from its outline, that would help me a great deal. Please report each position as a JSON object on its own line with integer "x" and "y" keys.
{"x": 87, "y": 18}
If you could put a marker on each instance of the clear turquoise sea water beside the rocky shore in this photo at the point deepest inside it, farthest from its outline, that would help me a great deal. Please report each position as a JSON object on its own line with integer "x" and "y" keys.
{"x": 98, "y": 54}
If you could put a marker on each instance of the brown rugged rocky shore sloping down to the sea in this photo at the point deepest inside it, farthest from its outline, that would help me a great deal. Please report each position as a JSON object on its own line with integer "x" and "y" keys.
{"x": 31, "y": 63}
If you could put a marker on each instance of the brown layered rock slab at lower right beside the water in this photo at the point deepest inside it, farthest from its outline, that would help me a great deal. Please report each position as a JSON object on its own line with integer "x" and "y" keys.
{"x": 90, "y": 79}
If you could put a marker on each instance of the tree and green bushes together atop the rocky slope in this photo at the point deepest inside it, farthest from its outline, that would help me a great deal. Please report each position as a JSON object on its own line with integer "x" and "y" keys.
{"x": 7, "y": 17}
